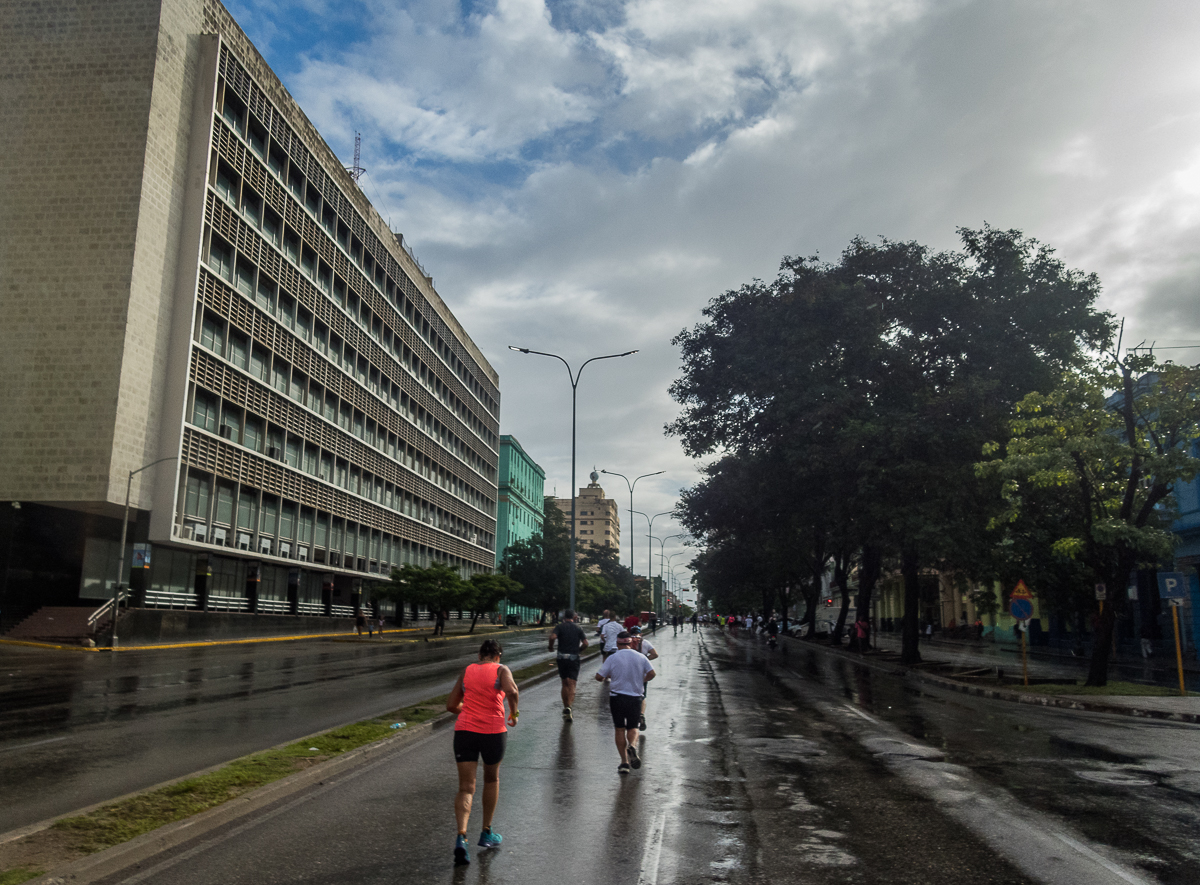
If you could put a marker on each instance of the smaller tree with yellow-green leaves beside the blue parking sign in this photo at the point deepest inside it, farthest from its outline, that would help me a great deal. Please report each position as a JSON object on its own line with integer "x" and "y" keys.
{"x": 1089, "y": 472}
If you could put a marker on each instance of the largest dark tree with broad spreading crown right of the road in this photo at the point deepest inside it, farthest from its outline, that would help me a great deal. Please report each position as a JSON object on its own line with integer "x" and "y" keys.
{"x": 886, "y": 374}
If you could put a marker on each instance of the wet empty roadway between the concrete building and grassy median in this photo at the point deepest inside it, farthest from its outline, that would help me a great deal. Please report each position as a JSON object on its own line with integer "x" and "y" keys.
{"x": 83, "y": 729}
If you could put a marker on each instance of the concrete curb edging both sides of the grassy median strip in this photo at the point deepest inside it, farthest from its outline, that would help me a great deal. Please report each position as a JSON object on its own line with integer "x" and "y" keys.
{"x": 113, "y": 860}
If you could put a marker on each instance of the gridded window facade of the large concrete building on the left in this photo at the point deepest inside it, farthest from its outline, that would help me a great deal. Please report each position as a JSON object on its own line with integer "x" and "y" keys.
{"x": 332, "y": 417}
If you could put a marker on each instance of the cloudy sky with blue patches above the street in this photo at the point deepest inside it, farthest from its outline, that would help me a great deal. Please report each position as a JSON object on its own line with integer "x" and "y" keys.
{"x": 584, "y": 176}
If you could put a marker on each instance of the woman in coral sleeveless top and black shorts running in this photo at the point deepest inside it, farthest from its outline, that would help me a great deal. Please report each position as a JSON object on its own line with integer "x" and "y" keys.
{"x": 478, "y": 701}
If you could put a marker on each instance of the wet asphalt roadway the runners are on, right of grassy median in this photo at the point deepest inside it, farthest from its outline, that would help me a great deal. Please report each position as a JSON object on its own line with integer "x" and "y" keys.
{"x": 797, "y": 767}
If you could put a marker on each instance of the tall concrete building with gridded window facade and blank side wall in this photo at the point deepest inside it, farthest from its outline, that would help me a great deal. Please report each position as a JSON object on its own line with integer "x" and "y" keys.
{"x": 190, "y": 276}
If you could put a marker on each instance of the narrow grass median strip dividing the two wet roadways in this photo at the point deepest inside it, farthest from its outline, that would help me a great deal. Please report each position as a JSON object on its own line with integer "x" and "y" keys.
{"x": 70, "y": 839}
